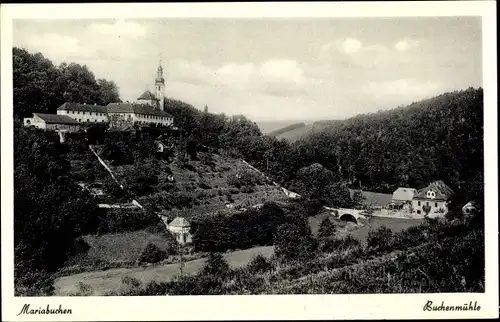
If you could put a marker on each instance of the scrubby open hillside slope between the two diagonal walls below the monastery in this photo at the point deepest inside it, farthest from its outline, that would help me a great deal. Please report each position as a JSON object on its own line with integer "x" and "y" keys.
{"x": 212, "y": 183}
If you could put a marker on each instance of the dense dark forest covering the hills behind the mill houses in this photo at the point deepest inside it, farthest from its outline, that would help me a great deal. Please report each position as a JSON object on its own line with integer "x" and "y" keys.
{"x": 435, "y": 139}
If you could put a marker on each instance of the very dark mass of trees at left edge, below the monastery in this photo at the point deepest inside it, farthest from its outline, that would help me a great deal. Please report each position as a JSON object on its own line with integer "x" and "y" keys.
{"x": 50, "y": 210}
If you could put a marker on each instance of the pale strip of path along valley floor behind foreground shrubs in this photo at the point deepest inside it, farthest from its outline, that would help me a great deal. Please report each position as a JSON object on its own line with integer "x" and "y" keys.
{"x": 103, "y": 282}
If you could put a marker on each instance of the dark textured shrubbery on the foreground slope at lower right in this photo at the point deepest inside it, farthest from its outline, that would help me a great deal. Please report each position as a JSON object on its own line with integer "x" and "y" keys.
{"x": 449, "y": 259}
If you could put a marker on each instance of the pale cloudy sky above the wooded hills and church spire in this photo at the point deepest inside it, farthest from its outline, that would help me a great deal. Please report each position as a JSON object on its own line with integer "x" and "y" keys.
{"x": 272, "y": 69}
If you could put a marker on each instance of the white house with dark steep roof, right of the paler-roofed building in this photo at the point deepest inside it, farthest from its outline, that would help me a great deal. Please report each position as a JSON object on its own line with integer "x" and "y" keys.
{"x": 435, "y": 198}
